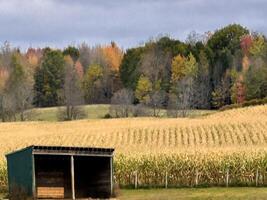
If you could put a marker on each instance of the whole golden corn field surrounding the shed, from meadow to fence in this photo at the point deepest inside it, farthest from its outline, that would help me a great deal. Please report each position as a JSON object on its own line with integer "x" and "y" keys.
{"x": 227, "y": 147}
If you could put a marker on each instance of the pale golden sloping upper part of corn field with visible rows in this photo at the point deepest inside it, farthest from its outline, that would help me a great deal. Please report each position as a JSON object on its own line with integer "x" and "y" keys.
{"x": 239, "y": 128}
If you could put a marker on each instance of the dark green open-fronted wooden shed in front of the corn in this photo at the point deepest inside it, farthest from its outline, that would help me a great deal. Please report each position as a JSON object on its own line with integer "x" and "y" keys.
{"x": 54, "y": 172}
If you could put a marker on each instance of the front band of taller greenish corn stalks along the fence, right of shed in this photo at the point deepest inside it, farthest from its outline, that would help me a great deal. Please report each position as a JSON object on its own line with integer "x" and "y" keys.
{"x": 191, "y": 170}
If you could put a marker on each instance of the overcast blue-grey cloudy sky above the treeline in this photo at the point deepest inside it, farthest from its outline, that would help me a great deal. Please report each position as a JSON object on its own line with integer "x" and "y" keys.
{"x": 58, "y": 23}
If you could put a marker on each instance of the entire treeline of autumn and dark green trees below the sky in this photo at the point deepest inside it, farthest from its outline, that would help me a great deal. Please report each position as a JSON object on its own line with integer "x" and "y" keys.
{"x": 206, "y": 71}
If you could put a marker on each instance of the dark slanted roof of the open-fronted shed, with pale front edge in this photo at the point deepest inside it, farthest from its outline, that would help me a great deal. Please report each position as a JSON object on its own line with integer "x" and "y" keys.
{"x": 67, "y": 150}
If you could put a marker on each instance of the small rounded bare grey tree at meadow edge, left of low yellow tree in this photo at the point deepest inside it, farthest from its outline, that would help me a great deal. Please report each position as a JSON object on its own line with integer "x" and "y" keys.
{"x": 121, "y": 103}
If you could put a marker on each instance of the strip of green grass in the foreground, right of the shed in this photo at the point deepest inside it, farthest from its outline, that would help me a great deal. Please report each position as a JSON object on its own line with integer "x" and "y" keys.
{"x": 243, "y": 193}
